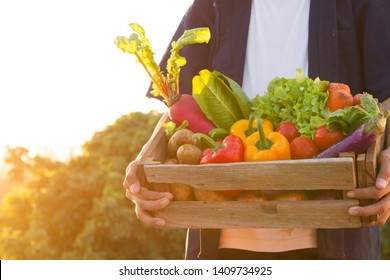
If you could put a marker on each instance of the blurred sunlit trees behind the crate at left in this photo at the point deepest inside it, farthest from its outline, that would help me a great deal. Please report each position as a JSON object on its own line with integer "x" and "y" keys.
{"x": 77, "y": 210}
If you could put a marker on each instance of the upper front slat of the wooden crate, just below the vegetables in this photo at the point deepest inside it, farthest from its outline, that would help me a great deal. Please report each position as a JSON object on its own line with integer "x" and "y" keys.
{"x": 337, "y": 173}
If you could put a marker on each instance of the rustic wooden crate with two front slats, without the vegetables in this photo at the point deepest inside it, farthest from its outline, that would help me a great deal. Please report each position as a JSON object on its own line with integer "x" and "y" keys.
{"x": 342, "y": 174}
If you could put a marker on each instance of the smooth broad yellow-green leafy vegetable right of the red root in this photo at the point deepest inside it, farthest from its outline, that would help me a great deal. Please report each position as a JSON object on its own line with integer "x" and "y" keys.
{"x": 216, "y": 98}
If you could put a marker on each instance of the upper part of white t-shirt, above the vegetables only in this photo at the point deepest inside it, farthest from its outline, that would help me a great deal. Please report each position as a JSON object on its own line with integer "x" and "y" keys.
{"x": 277, "y": 42}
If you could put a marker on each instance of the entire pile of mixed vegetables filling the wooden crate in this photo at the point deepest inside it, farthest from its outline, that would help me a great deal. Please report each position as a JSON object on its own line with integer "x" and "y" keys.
{"x": 296, "y": 118}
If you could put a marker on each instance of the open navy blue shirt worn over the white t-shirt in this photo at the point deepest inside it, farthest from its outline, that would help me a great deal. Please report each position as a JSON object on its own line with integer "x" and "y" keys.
{"x": 349, "y": 42}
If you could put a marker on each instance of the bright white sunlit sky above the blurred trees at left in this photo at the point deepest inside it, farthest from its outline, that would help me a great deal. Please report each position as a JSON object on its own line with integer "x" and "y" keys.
{"x": 61, "y": 76}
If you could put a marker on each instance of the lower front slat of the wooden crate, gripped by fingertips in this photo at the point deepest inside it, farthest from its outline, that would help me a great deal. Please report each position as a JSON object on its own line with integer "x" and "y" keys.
{"x": 240, "y": 214}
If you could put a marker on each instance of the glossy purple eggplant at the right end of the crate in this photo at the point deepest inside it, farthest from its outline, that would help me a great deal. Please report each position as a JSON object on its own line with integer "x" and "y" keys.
{"x": 359, "y": 140}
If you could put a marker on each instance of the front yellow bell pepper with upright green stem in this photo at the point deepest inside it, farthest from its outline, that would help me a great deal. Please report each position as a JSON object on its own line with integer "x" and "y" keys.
{"x": 264, "y": 145}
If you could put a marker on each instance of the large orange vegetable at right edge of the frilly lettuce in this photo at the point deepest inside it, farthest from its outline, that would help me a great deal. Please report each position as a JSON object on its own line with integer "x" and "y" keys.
{"x": 339, "y": 96}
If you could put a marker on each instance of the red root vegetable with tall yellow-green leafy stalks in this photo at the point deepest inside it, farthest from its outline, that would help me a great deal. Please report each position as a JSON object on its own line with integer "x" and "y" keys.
{"x": 181, "y": 106}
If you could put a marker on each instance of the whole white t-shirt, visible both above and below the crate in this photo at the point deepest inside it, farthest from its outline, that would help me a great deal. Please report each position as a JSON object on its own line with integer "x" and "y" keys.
{"x": 277, "y": 46}
